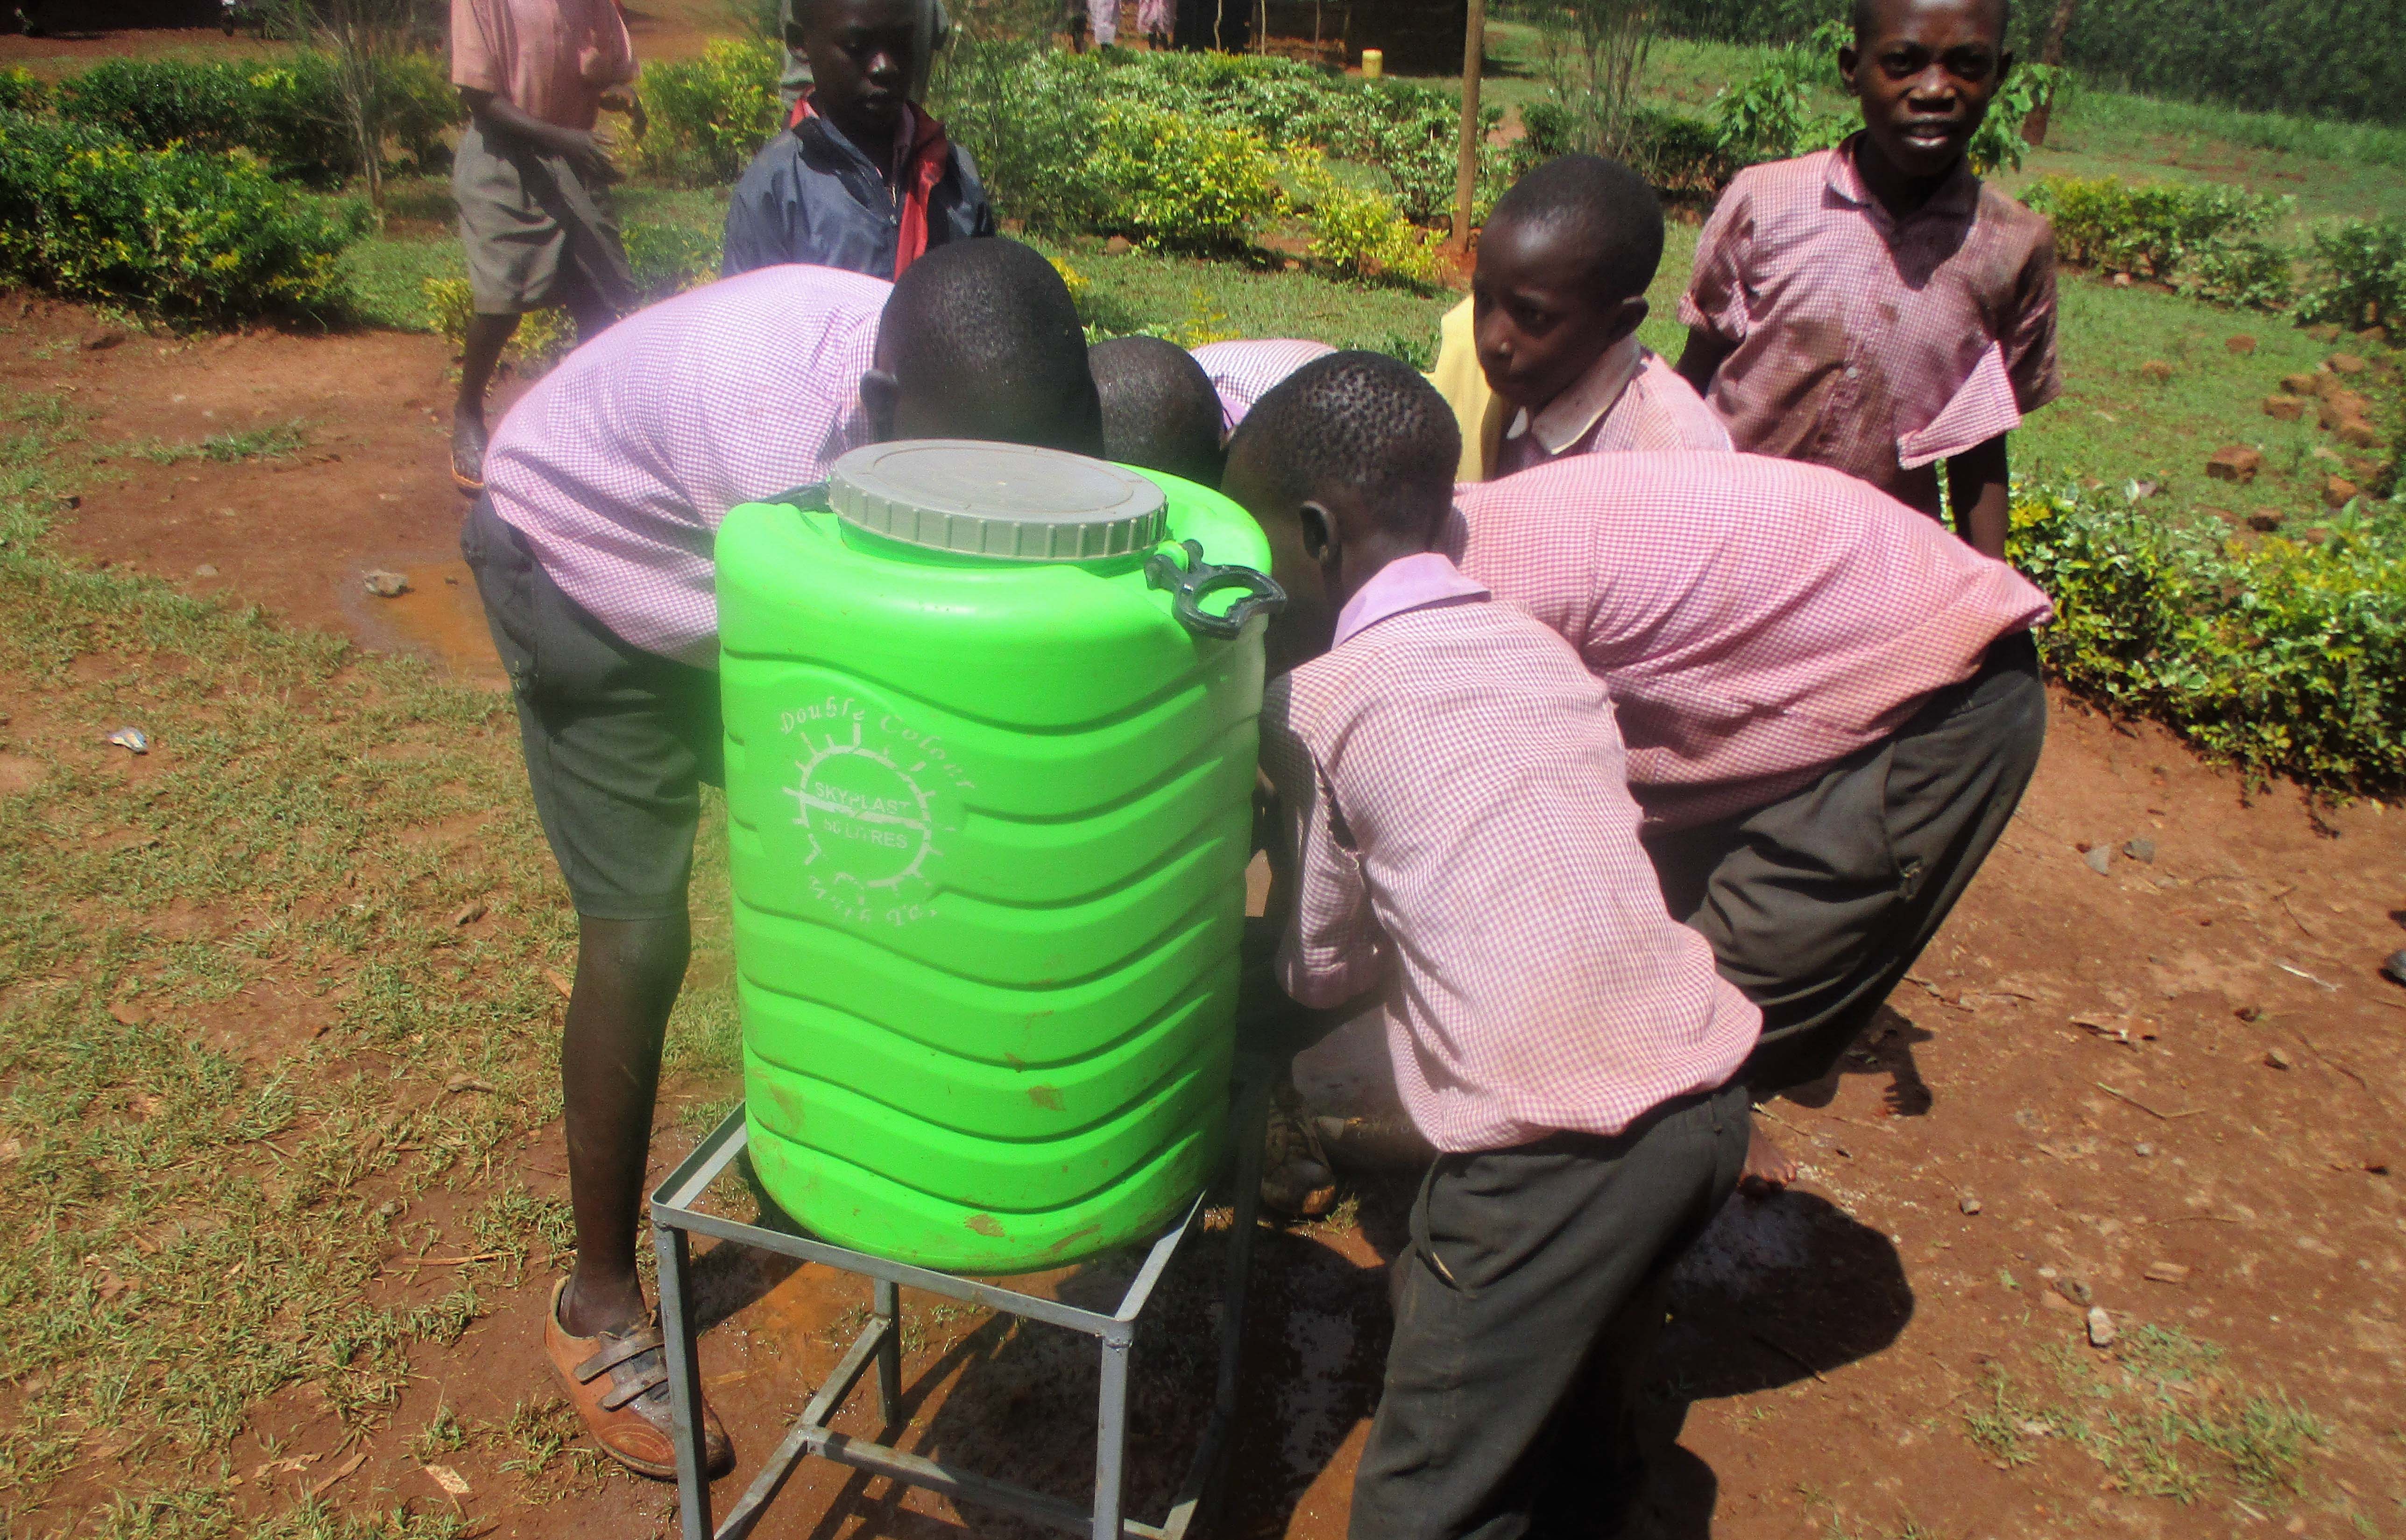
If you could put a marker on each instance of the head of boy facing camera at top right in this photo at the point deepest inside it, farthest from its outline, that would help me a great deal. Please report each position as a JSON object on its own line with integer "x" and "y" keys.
{"x": 1926, "y": 73}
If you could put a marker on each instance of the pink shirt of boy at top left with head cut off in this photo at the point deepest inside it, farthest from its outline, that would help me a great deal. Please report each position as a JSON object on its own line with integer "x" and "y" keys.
{"x": 550, "y": 59}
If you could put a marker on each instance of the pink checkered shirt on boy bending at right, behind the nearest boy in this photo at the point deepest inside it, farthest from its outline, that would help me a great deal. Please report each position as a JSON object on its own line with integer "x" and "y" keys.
{"x": 1755, "y": 620}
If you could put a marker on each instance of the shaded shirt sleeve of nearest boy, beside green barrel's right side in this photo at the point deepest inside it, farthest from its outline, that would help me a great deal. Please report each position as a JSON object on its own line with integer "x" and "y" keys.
{"x": 1332, "y": 944}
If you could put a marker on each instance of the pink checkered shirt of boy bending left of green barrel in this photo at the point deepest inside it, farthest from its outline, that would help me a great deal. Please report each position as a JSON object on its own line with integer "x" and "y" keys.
{"x": 622, "y": 463}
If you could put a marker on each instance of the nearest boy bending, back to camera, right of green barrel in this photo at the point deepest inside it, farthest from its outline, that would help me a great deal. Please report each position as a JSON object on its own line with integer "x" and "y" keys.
{"x": 1459, "y": 843}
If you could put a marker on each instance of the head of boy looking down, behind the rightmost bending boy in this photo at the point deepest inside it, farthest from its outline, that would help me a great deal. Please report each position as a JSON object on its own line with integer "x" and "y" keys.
{"x": 1563, "y": 276}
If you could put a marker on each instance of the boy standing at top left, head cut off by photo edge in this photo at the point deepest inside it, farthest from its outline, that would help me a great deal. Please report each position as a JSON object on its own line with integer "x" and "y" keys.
{"x": 533, "y": 182}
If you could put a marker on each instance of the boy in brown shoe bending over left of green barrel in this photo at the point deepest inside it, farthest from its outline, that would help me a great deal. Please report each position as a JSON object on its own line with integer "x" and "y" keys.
{"x": 593, "y": 559}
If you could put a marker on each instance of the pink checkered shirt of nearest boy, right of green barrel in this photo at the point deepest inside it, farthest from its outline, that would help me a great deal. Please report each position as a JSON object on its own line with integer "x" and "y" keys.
{"x": 1464, "y": 841}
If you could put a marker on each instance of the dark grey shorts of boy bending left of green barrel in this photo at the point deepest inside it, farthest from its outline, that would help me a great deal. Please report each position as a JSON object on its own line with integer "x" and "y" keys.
{"x": 620, "y": 740}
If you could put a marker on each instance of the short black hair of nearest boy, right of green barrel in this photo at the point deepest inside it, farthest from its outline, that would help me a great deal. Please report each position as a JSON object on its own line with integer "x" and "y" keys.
{"x": 1365, "y": 422}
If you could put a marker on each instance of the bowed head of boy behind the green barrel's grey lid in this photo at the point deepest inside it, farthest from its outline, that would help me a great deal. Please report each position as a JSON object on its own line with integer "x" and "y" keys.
{"x": 980, "y": 340}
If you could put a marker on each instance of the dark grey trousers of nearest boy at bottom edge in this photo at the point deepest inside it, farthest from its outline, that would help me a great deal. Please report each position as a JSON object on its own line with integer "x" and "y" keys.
{"x": 1524, "y": 1313}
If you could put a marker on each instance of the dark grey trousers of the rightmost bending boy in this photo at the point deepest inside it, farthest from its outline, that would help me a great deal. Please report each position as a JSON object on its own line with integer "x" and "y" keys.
{"x": 1823, "y": 901}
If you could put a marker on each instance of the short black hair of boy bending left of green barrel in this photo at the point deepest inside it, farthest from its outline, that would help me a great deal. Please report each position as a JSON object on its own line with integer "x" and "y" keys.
{"x": 988, "y": 321}
